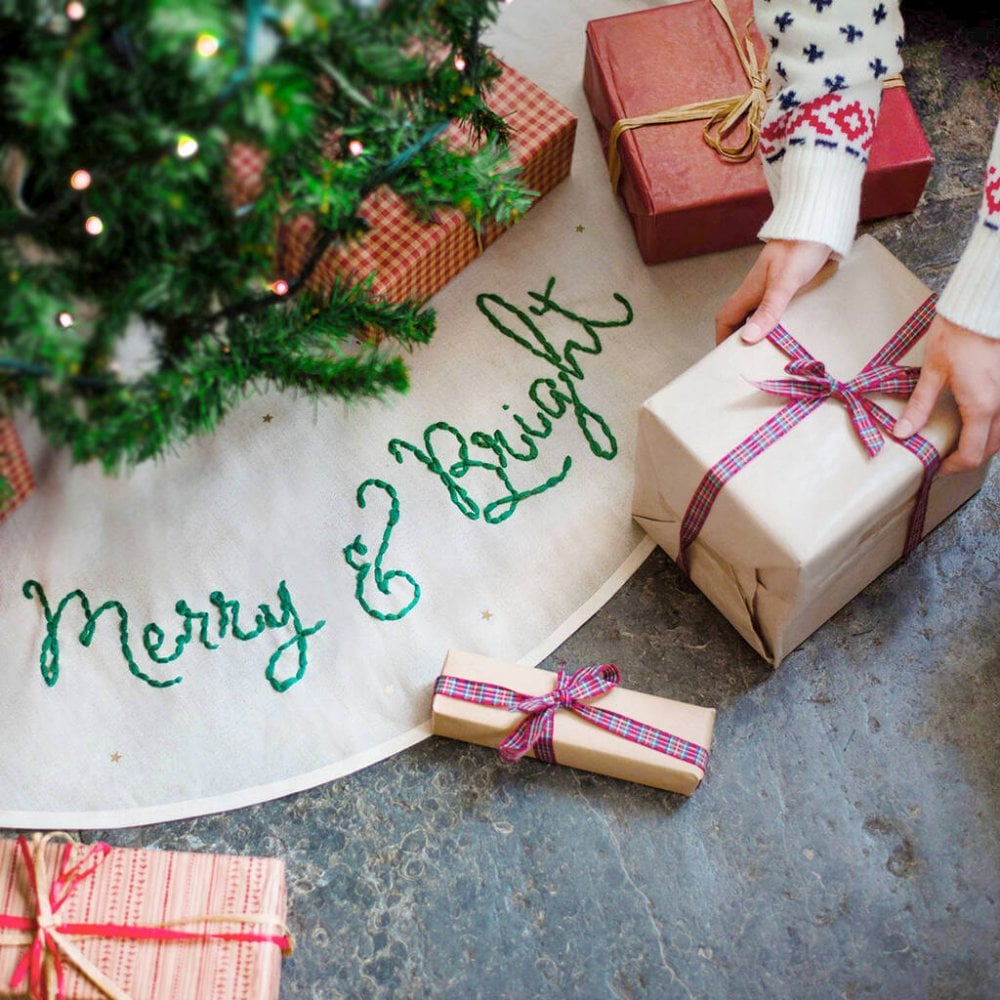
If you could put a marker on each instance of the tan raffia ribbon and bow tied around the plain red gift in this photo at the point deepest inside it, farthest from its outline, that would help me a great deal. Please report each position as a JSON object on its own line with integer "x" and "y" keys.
{"x": 723, "y": 113}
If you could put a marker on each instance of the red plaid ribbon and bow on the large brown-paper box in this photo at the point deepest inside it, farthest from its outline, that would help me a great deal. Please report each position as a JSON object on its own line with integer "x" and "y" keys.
{"x": 812, "y": 387}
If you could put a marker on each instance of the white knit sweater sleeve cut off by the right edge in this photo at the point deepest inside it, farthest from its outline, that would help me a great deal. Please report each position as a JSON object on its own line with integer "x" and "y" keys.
{"x": 972, "y": 296}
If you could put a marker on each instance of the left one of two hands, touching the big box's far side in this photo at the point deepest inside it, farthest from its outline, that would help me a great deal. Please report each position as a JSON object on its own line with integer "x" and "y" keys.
{"x": 756, "y": 307}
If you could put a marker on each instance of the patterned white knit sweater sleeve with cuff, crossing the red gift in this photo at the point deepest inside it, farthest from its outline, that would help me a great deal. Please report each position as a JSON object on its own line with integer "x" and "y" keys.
{"x": 829, "y": 59}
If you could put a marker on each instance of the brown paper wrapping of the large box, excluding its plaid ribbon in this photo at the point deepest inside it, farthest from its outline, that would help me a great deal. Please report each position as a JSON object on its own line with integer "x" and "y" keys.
{"x": 807, "y": 525}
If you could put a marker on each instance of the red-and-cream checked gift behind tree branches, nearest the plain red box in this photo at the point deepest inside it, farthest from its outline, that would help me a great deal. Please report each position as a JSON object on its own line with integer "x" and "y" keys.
{"x": 412, "y": 259}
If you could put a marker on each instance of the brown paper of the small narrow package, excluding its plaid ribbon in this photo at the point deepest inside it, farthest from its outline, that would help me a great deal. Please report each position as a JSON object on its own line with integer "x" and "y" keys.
{"x": 578, "y": 743}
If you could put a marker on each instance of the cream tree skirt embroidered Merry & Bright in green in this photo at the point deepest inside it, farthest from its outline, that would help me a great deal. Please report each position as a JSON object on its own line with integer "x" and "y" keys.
{"x": 267, "y": 608}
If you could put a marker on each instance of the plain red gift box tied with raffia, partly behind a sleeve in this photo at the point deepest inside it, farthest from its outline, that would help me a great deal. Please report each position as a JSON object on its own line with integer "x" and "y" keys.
{"x": 684, "y": 198}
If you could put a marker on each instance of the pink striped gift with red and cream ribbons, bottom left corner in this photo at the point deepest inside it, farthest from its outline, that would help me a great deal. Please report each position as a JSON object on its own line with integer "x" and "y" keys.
{"x": 87, "y": 922}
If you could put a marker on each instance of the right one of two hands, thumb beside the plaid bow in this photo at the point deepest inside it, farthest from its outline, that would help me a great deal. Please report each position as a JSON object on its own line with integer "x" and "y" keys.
{"x": 968, "y": 364}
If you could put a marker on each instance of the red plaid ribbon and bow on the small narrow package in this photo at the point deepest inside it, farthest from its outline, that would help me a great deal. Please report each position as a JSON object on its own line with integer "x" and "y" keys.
{"x": 572, "y": 691}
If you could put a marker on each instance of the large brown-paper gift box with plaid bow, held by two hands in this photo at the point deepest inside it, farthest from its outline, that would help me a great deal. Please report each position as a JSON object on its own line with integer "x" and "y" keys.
{"x": 770, "y": 472}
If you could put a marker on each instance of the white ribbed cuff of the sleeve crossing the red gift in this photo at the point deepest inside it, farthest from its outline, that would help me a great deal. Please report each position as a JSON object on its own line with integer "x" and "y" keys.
{"x": 817, "y": 196}
